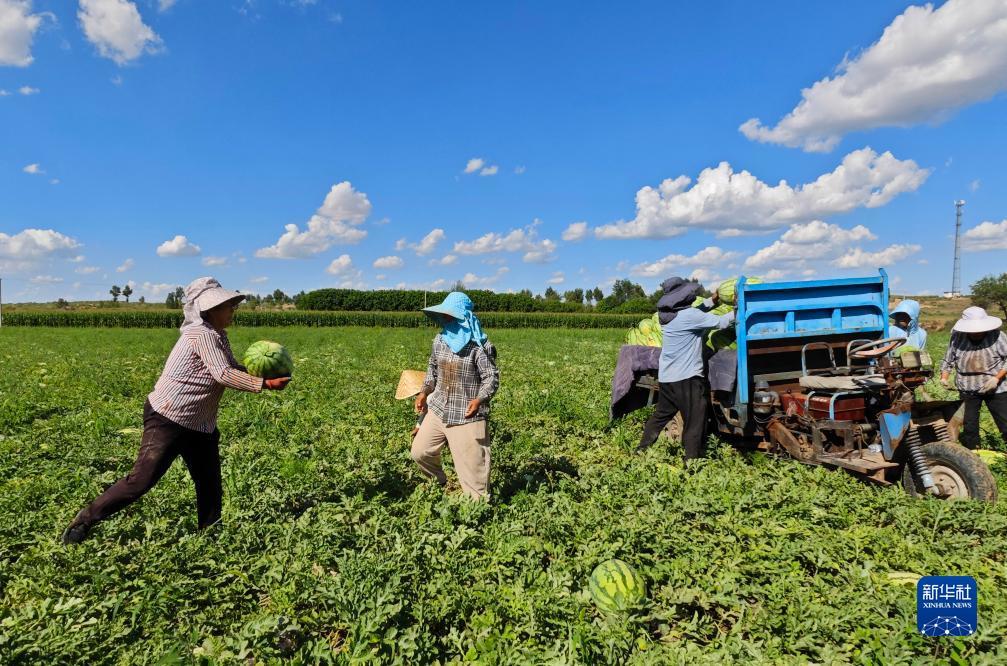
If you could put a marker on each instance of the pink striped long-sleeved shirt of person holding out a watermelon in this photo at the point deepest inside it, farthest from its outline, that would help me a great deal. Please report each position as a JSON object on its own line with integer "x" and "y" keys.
{"x": 199, "y": 369}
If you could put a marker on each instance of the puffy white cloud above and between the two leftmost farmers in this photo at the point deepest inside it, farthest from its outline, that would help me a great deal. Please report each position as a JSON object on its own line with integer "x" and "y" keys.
{"x": 336, "y": 222}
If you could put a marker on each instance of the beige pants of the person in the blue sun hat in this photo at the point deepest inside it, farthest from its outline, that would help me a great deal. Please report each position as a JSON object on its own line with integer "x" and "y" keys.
{"x": 470, "y": 446}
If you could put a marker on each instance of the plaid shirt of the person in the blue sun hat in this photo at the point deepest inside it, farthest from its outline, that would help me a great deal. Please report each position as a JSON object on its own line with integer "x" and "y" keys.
{"x": 454, "y": 380}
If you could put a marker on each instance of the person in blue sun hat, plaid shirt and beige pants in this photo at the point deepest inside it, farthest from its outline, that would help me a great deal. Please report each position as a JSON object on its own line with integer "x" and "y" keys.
{"x": 461, "y": 381}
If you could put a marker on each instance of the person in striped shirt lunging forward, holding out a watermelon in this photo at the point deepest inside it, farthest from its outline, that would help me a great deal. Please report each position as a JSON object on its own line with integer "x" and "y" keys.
{"x": 180, "y": 417}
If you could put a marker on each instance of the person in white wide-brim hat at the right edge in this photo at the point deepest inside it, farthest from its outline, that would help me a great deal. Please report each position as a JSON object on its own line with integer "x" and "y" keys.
{"x": 978, "y": 355}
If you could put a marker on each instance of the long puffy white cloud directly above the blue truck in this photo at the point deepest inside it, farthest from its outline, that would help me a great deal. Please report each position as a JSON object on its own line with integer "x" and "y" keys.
{"x": 735, "y": 203}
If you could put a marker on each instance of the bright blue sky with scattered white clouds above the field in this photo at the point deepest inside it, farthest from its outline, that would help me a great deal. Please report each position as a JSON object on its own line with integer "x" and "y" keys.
{"x": 296, "y": 145}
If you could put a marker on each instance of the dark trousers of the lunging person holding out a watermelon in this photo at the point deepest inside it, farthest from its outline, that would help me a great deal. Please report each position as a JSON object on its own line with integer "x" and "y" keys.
{"x": 164, "y": 442}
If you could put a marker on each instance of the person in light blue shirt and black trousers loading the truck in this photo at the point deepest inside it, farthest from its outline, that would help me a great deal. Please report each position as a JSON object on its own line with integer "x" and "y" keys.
{"x": 683, "y": 385}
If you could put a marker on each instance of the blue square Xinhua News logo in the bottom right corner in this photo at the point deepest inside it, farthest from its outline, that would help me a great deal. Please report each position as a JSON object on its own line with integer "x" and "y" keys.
{"x": 947, "y": 606}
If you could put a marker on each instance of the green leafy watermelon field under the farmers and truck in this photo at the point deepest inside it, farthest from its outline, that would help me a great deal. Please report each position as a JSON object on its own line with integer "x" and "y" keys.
{"x": 333, "y": 550}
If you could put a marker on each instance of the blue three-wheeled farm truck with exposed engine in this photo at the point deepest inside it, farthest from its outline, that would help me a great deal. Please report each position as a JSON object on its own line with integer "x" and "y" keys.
{"x": 819, "y": 379}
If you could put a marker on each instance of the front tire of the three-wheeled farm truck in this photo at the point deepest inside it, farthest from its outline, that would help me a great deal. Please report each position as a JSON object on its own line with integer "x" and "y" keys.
{"x": 961, "y": 473}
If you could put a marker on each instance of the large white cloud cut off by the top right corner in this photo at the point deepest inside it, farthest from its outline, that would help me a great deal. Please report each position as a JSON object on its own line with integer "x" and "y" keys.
{"x": 928, "y": 64}
